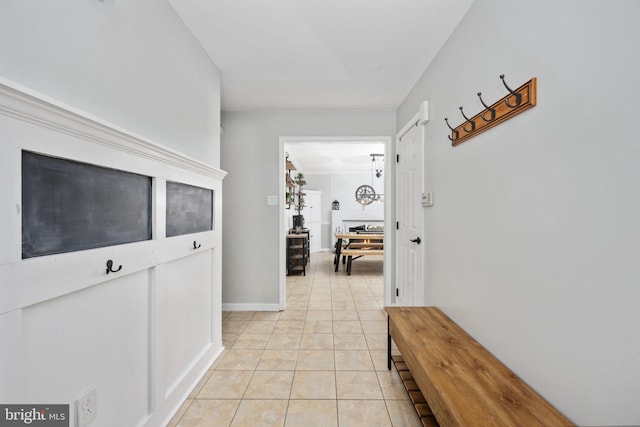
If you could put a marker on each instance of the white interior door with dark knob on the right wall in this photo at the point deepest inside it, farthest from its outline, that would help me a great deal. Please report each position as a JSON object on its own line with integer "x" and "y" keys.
{"x": 409, "y": 234}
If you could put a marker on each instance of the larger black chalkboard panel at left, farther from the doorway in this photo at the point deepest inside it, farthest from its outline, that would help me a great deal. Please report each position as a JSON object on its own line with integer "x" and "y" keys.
{"x": 69, "y": 206}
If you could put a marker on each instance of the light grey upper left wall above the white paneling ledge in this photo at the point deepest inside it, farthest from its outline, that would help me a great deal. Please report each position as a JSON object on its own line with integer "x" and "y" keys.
{"x": 133, "y": 64}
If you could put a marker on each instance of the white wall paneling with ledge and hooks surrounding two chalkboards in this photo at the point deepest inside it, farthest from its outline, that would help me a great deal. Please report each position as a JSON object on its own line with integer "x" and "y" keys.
{"x": 143, "y": 336}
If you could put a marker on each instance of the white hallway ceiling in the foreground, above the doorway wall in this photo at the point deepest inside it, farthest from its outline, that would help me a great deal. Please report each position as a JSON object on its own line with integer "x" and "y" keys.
{"x": 320, "y": 54}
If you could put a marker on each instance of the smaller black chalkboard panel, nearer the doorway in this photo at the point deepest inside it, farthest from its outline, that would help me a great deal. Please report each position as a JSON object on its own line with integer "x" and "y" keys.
{"x": 189, "y": 209}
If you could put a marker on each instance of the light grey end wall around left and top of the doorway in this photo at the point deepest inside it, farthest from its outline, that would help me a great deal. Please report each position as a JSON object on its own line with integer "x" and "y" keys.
{"x": 249, "y": 153}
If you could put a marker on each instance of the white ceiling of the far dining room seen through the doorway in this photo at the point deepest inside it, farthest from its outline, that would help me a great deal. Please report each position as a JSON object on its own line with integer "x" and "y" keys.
{"x": 333, "y": 157}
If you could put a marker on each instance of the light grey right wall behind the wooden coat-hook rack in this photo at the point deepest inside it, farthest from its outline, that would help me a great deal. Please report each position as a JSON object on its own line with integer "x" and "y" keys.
{"x": 533, "y": 242}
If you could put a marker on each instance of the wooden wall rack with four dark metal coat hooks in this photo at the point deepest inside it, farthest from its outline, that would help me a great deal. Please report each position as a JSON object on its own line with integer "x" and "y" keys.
{"x": 517, "y": 101}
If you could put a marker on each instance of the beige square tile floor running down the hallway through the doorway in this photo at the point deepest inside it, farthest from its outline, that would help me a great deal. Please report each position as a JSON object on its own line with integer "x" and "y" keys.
{"x": 322, "y": 362}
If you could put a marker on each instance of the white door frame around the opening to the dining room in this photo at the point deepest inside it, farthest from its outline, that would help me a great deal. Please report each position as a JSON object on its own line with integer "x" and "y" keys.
{"x": 389, "y": 183}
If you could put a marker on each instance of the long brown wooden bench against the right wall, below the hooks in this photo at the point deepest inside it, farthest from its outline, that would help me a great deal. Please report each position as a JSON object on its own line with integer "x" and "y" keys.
{"x": 463, "y": 384}
